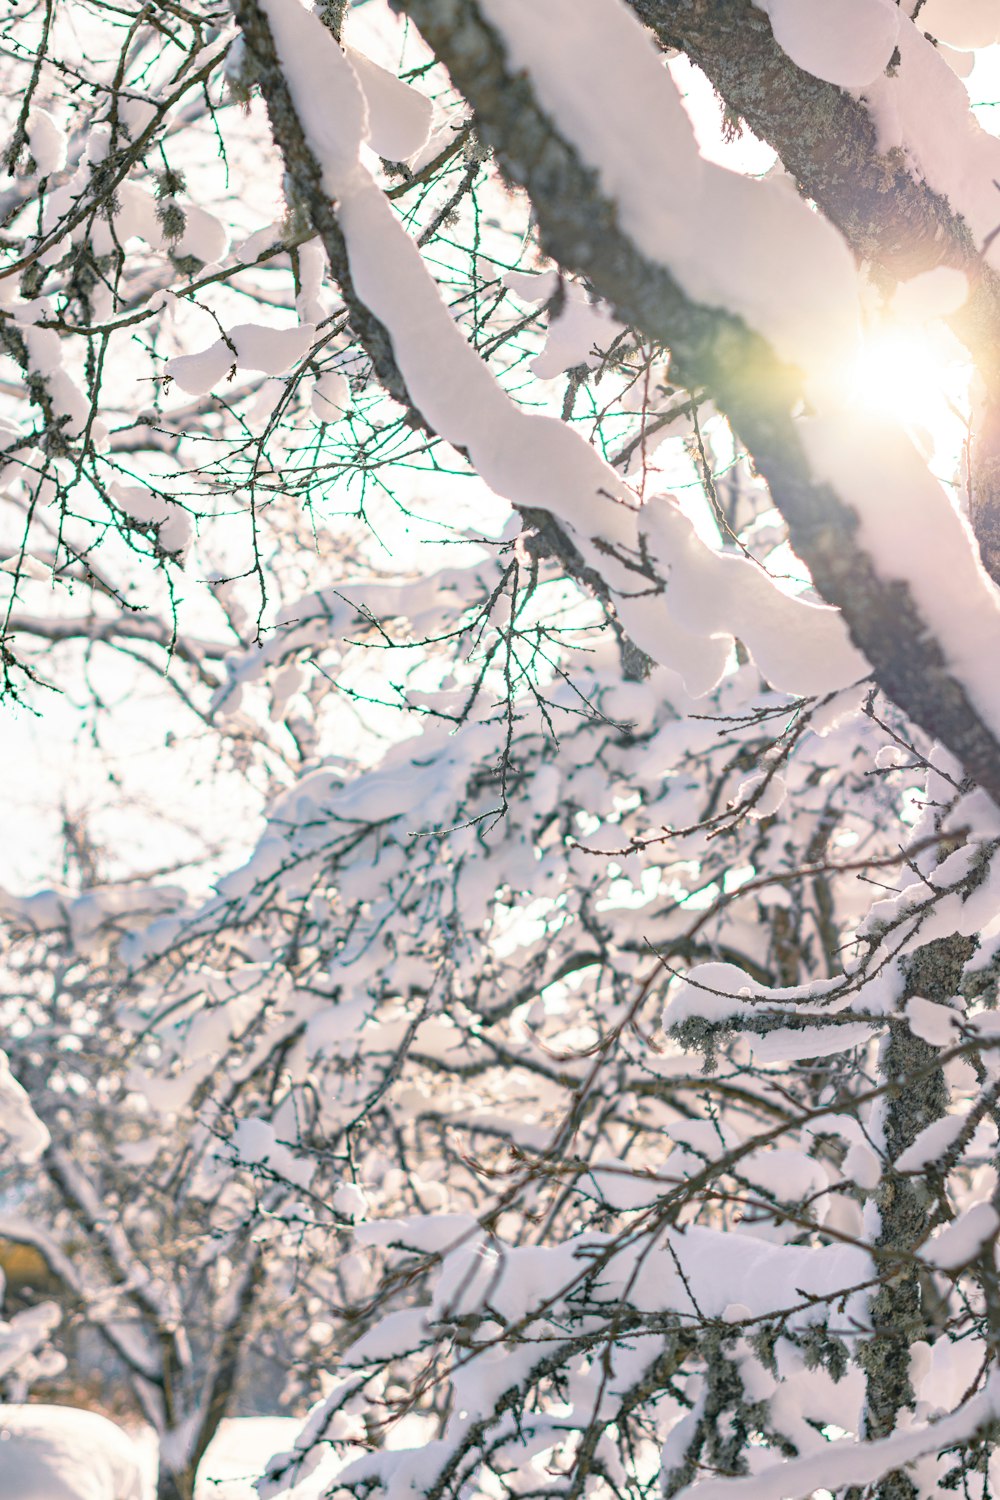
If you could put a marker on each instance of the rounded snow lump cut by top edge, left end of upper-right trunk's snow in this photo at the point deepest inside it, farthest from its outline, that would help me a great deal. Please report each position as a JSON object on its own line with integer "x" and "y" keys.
{"x": 846, "y": 43}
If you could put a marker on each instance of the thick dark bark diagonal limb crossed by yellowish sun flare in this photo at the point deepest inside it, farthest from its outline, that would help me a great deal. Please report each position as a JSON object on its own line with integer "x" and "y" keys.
{"x": 758, "y": 394}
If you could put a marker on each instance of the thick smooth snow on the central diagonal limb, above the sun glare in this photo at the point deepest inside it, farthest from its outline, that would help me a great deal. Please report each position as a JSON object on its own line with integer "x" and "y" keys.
{"x": 794, "y": 278}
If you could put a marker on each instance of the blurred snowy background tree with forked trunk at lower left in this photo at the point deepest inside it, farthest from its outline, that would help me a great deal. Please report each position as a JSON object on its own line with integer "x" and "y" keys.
{"x": 169, "y": 1268}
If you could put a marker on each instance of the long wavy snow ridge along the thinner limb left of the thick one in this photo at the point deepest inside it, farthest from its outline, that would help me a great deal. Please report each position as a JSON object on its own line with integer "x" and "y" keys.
{"x": 536, "y": 463}
